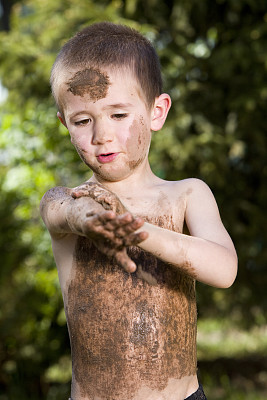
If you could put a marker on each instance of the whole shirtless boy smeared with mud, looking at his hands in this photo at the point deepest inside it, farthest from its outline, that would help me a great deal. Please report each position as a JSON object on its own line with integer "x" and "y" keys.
{"x": 126, "y": 269}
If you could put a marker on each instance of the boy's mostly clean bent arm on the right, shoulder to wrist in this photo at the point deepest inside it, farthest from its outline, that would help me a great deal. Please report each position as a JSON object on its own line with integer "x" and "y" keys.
{"x": 208, "y": 254}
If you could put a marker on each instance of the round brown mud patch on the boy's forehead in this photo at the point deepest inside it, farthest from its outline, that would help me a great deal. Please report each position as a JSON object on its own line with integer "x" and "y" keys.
{"x": 89, "y": 81}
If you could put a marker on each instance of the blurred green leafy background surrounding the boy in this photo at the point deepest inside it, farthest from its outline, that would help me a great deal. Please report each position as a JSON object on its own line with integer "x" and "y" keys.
{"x": 214, "y": 61}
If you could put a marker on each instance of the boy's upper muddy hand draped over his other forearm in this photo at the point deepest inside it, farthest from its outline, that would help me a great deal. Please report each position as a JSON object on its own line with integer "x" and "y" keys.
{"x": 101, "y": 195}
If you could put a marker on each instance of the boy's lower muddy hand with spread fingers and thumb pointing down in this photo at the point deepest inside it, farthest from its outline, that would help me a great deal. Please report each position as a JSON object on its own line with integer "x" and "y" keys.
{"x": 112, "y": 234}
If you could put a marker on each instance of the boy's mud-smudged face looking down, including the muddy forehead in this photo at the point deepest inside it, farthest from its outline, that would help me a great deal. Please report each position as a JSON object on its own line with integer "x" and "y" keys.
{"x": 108, "y": 121}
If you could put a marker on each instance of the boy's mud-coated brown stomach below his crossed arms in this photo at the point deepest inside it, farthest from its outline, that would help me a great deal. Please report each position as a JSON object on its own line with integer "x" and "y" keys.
{"x": 127, "y": 334}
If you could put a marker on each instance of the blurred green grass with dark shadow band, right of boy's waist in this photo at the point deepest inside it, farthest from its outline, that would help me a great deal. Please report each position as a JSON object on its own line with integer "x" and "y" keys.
{"x": 232, "y": 362}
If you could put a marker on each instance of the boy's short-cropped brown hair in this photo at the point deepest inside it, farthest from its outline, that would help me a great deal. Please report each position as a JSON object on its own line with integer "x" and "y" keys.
{"x": 110, "y": 45}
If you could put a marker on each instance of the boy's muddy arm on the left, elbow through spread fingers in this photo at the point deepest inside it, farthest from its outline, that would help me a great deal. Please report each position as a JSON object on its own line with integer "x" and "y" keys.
{"x": 105, "y": 221}
